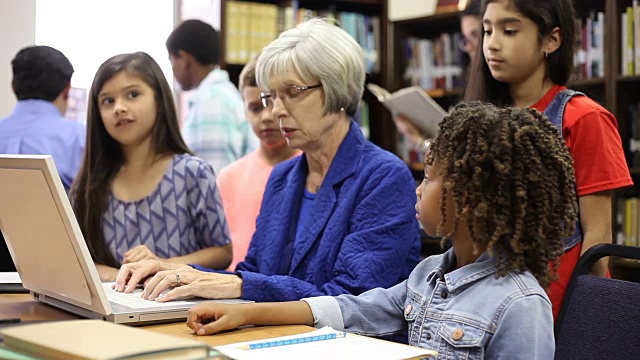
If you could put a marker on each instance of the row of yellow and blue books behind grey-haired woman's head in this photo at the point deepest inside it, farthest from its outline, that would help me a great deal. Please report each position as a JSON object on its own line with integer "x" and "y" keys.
{"x": 251, "y": 26}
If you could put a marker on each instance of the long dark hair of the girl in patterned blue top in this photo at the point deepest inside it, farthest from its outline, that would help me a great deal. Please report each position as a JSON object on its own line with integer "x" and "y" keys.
{"x": 103, "y": 155}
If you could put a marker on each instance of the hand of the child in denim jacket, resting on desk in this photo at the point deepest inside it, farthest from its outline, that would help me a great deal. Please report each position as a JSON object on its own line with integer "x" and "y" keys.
{"x": 210, "y": 318}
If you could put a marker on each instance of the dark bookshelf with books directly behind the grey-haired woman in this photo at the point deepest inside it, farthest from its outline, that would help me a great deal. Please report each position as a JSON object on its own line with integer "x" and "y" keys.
{"x": 275, "y": 16}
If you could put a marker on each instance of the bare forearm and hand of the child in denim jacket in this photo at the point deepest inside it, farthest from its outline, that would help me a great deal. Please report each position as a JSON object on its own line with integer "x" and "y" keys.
{"x": 210, "y": 318}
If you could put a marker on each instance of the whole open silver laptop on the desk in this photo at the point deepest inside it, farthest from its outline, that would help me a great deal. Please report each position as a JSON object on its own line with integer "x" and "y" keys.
{"x": 50, "y": 253}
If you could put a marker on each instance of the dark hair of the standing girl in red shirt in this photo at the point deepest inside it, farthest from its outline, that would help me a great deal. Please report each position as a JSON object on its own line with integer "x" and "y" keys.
{"x": 547, "y": 15}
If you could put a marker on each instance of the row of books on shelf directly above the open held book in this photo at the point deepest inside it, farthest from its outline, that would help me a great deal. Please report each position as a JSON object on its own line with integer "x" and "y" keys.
{"x": 434, "y": 63}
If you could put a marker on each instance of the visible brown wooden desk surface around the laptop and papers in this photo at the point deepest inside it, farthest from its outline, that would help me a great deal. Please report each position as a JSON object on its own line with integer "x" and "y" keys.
{"x": 24, "y": 307}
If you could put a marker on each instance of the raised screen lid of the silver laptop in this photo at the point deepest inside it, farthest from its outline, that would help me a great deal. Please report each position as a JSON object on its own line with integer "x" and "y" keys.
{"x": 37, "y": 221}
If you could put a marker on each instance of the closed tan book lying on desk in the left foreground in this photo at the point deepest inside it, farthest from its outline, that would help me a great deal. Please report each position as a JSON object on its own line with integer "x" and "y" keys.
{"x": 96, "y": 339}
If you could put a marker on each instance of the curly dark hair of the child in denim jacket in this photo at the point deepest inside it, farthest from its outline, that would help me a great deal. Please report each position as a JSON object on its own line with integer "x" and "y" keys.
{"x": 512, "y": 180}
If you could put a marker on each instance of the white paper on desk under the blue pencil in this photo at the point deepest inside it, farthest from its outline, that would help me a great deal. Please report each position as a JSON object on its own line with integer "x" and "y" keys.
{"x": 350, "y": 347}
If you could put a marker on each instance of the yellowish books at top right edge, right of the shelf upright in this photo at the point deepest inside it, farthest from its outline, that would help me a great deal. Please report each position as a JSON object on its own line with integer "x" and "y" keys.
{"x": 630, "y": 33}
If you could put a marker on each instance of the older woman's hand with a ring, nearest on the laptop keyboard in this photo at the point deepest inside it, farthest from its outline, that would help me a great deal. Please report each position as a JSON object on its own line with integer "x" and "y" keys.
{"x": 189, "y": 282}
